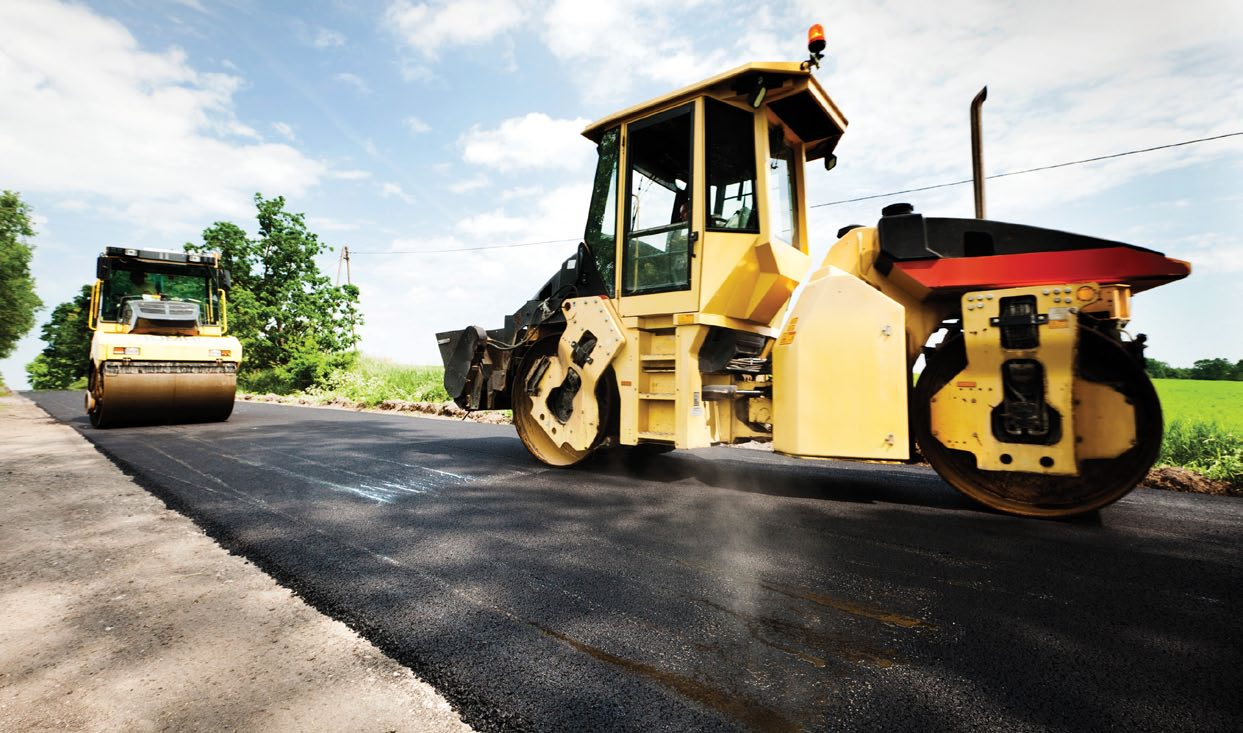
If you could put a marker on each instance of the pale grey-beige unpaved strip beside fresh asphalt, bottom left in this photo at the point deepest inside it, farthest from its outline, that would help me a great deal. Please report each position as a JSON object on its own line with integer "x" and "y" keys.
{"x": 122, "y": 616}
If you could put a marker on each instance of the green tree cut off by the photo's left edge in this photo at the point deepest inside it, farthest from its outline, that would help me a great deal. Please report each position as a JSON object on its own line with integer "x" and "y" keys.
{"x": 18, "y": 299}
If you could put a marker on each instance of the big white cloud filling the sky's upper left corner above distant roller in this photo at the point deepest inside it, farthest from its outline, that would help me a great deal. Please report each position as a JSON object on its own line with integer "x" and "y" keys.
{"x": 141, "y": 135}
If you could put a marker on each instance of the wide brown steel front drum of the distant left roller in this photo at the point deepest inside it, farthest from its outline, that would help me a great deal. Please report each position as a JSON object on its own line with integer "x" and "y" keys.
{"x": 161, "y": 394}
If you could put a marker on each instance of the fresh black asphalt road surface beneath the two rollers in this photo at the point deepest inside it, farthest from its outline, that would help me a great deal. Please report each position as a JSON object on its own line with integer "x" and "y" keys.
{"x": 713, "y": 591}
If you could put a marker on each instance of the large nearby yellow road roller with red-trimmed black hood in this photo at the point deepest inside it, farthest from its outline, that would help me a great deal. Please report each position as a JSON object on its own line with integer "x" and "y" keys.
{"x": 673, "y": 324}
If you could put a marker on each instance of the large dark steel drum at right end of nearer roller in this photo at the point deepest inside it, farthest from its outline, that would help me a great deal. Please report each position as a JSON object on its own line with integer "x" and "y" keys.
{"x": 1101, "y": 483}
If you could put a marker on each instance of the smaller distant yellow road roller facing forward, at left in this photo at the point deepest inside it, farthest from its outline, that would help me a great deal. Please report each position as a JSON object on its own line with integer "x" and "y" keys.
{"x": 160, "y": 352}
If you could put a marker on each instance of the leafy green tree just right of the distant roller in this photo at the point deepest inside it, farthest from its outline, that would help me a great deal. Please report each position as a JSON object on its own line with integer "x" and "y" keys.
{"x": 294, "y": 324}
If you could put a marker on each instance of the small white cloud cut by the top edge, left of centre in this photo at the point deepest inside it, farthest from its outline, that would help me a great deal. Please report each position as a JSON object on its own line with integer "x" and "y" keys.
{"x": 429, "y": 27}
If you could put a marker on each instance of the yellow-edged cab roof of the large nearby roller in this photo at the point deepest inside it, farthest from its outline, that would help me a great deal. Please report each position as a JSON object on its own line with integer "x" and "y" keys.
{"x": 792, "y": 95}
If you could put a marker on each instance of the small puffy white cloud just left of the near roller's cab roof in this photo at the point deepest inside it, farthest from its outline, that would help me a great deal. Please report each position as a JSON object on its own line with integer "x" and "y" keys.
{"x": 533, "y": 141}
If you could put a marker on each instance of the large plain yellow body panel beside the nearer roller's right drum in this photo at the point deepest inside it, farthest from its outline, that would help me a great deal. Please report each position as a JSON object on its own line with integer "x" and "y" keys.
{"x": 840, "y": 373}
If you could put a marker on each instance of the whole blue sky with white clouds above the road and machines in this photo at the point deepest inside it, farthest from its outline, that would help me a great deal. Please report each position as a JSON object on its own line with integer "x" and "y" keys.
{"x": 403, "y": 129}
